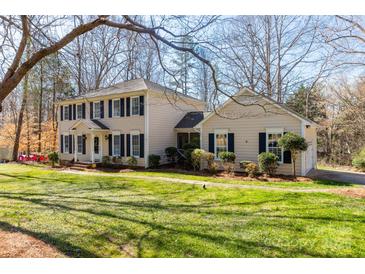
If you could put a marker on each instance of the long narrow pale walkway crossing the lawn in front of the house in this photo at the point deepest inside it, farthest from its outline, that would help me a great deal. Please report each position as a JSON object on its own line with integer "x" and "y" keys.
{"x": 196, "y": 182}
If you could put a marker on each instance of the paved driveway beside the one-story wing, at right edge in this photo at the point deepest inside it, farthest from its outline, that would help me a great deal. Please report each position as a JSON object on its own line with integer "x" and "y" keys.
{"x": 340, "y": 176}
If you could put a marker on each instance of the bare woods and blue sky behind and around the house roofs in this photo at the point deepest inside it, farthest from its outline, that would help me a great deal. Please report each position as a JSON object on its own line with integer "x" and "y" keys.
{"x": 313, "y": 64}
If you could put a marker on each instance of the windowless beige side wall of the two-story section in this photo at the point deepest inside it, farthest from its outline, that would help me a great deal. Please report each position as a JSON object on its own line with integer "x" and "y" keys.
{"x": 165, "y": 111}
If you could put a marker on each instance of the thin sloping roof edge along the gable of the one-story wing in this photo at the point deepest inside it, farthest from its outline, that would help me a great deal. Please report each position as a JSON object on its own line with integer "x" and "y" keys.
{"x": 266, "y": 98}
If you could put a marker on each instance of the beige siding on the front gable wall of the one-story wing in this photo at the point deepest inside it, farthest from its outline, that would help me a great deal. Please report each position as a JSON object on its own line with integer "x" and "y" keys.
{"x": 246, "y": 129}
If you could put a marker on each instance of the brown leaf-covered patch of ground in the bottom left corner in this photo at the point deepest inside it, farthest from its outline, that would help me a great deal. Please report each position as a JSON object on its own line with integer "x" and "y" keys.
{"x": 19, "y": 245}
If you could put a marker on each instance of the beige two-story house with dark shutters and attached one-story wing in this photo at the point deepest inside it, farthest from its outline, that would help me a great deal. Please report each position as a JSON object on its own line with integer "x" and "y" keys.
{"x": 138, "y": 118}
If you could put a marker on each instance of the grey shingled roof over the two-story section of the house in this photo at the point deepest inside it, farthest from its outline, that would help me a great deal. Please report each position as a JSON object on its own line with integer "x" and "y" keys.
{"x": 129, "y": 86}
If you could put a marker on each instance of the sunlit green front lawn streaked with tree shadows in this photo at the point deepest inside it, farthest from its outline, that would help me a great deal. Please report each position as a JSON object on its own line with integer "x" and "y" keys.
{"x": 99, "y": 216}
